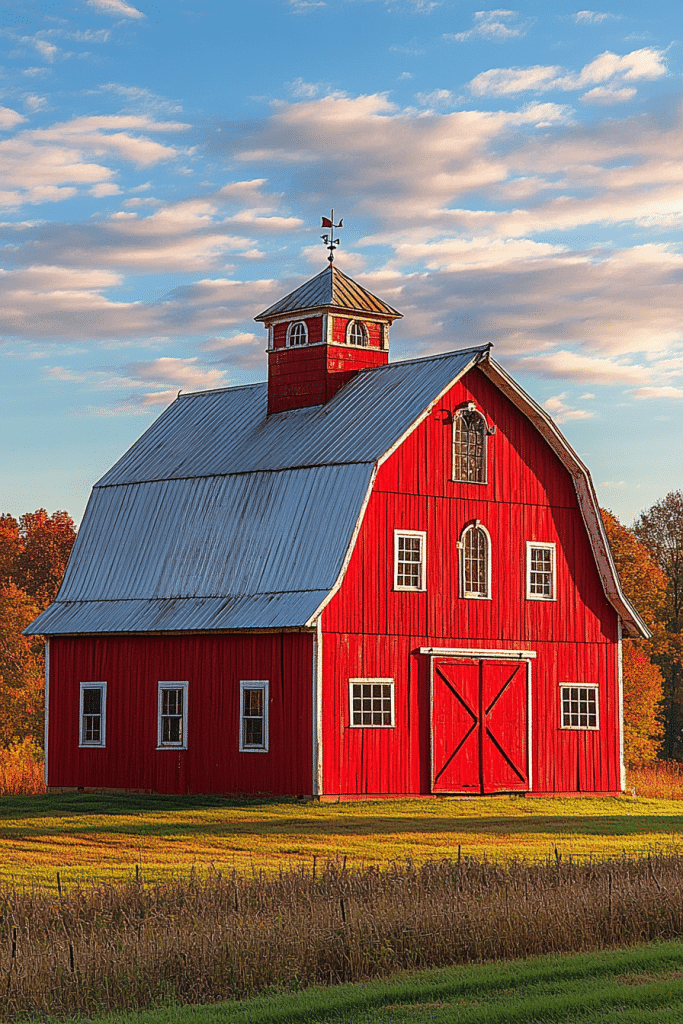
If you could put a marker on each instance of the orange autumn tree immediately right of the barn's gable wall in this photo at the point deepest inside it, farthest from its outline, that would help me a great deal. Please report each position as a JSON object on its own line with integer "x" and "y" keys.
{"x": 646, "y": 586}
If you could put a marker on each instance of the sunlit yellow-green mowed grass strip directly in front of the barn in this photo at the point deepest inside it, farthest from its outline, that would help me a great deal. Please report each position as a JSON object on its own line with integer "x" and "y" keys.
{"x": 87, "y": 836}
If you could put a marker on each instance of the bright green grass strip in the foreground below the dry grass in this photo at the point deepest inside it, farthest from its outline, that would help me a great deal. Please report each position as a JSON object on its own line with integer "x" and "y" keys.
{"x": 625, "y": 987}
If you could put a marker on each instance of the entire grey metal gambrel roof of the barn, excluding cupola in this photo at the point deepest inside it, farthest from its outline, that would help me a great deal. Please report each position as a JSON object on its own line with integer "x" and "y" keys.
{"x": 222, "y": 518}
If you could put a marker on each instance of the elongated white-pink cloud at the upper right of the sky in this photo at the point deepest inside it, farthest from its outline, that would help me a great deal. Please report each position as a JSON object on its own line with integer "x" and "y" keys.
{"x": 647, "y": 64}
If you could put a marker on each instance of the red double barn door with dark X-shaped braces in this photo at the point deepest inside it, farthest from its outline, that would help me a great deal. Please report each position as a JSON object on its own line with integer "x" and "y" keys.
{"x": 480, "y": 727}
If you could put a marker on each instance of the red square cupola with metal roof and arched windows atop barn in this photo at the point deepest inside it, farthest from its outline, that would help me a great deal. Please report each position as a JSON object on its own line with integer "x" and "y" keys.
{"x": 320, "y": 336}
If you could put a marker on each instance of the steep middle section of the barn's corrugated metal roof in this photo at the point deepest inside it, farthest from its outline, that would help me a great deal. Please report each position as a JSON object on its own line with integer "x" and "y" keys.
{"x": 218, "y": 537}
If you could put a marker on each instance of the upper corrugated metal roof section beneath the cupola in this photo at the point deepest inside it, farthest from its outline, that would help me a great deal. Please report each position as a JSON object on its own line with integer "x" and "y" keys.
{"x": 228, "y": 432}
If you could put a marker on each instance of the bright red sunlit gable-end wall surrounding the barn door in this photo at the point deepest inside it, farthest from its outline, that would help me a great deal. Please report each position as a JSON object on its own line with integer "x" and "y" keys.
{"x": 371, "y": 630}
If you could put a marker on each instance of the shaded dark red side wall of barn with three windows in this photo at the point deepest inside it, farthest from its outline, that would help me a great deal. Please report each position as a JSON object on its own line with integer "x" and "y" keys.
{"x": 214, "y": 665}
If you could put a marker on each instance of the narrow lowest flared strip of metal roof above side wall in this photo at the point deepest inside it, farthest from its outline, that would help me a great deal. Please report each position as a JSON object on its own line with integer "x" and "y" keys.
{"x": 251, "y": 612}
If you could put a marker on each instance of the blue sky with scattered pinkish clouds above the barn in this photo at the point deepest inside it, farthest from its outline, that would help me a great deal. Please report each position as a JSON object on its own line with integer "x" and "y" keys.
{"x": 513, "y": 176}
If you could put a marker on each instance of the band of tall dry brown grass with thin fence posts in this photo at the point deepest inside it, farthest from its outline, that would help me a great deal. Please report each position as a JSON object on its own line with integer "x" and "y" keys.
{"x": 122, "y": 948}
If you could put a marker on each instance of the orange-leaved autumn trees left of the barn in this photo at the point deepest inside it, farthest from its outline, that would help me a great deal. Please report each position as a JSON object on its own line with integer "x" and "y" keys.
{"x": 34, "y": 552}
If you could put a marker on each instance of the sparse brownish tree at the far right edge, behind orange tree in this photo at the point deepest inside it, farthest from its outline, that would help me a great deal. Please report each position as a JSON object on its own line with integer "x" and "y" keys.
{"x": 660, "y": 529}
